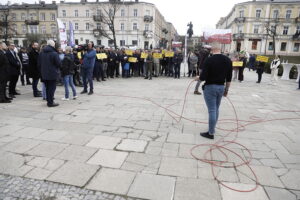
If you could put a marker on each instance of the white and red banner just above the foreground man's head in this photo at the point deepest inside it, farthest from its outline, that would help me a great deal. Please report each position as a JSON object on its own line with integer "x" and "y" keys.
{"x": 222, "y": 36}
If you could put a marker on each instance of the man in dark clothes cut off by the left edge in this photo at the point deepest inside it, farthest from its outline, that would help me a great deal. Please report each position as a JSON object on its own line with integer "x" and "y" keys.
{"x": 4, "y": 74}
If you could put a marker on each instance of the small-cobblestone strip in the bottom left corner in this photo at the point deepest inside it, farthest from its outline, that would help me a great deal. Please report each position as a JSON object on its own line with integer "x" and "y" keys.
{"x": 18, "y": 188}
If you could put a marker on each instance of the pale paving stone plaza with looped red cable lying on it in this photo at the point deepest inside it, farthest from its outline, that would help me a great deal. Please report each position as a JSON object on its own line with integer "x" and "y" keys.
{"x": 114, "y": 146}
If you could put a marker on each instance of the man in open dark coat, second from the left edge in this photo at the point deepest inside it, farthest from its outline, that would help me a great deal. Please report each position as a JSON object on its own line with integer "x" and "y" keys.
{"x": 14, "y": 70}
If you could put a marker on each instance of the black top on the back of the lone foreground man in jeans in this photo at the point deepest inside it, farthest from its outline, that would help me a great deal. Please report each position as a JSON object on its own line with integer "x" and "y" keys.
{"x": 217, "y": 70}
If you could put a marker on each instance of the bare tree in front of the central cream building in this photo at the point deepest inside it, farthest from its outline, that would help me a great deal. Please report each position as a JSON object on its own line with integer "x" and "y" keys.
{"x": 107, "y": 18}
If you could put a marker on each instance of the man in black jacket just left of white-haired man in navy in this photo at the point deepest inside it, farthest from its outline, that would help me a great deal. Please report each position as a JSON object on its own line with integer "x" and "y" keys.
{"x": 33, "y": 70}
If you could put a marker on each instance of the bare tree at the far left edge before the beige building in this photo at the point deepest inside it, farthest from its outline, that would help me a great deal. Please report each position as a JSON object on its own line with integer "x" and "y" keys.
{"x": 6, "y": 27}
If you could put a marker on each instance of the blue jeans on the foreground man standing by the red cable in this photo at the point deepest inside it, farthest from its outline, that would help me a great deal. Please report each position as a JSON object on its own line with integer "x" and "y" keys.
{"x": 213, "y": 95}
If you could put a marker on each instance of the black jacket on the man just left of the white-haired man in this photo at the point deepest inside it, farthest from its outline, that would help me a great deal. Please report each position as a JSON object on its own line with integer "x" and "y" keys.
{"x": 33, "y": 70}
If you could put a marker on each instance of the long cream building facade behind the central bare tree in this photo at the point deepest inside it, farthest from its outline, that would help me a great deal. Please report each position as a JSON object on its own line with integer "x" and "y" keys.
{"x": 136, "y": 23}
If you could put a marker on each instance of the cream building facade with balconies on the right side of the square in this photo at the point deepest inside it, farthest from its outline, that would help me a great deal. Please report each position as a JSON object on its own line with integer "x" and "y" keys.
{"x": 260, "y": 27}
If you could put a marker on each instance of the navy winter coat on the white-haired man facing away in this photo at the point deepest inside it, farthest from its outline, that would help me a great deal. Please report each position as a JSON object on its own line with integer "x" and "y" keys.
{"x": 49, "y": 63}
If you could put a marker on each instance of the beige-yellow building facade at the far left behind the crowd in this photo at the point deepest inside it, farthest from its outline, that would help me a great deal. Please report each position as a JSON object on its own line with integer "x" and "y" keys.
{"x": 20, "y": 22}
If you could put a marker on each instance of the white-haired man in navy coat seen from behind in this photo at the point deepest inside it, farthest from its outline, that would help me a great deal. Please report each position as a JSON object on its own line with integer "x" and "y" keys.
{"x": 49, "y": 63}
